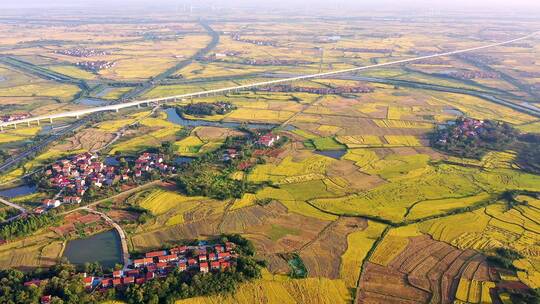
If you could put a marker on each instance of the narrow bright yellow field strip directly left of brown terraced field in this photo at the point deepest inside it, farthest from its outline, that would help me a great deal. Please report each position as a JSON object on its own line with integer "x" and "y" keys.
{"x": 358, "y": 245}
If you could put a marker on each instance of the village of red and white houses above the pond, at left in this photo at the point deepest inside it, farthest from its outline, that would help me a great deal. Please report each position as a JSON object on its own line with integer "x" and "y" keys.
{"x": 76, "y": 175}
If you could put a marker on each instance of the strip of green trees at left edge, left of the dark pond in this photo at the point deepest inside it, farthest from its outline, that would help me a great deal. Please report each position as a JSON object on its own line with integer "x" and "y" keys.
{"x": 26, "y": 225}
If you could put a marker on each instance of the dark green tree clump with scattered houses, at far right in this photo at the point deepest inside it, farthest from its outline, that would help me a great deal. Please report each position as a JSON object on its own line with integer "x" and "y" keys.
{"x": 459, "y": 140}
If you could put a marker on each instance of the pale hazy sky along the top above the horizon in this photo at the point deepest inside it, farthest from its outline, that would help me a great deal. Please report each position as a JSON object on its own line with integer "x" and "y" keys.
{"x": 481, "y": 5}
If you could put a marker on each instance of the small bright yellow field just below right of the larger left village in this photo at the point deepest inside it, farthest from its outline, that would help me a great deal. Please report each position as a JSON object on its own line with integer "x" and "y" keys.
{"x": 161, "y": 201}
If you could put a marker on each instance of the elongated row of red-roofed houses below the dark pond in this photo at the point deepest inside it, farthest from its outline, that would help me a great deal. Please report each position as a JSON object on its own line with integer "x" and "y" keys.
{"x": 157, "y": 264}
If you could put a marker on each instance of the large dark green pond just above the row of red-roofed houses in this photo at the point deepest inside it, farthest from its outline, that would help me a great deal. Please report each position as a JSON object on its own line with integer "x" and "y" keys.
{"x": 103, "y": 247}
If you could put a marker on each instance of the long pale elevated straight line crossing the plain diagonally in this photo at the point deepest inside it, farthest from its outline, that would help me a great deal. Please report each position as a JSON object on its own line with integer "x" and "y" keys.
{"x": 117, "y": 107}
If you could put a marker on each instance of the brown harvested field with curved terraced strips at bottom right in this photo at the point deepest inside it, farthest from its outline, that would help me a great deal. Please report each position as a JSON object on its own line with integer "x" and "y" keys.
{"x": 425, "y": 270}
